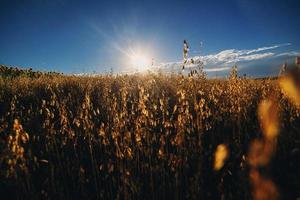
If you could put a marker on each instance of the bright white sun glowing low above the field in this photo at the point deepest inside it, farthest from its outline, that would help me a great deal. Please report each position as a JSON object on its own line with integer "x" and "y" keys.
{"x": 140, "y": 60}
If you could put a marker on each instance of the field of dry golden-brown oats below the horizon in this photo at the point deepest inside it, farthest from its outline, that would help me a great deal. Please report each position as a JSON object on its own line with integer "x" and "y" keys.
{"x": 149, "y": 136}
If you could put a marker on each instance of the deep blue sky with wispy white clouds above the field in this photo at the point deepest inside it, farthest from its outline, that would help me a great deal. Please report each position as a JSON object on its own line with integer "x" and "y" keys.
{"x": 73, "y": 36}
